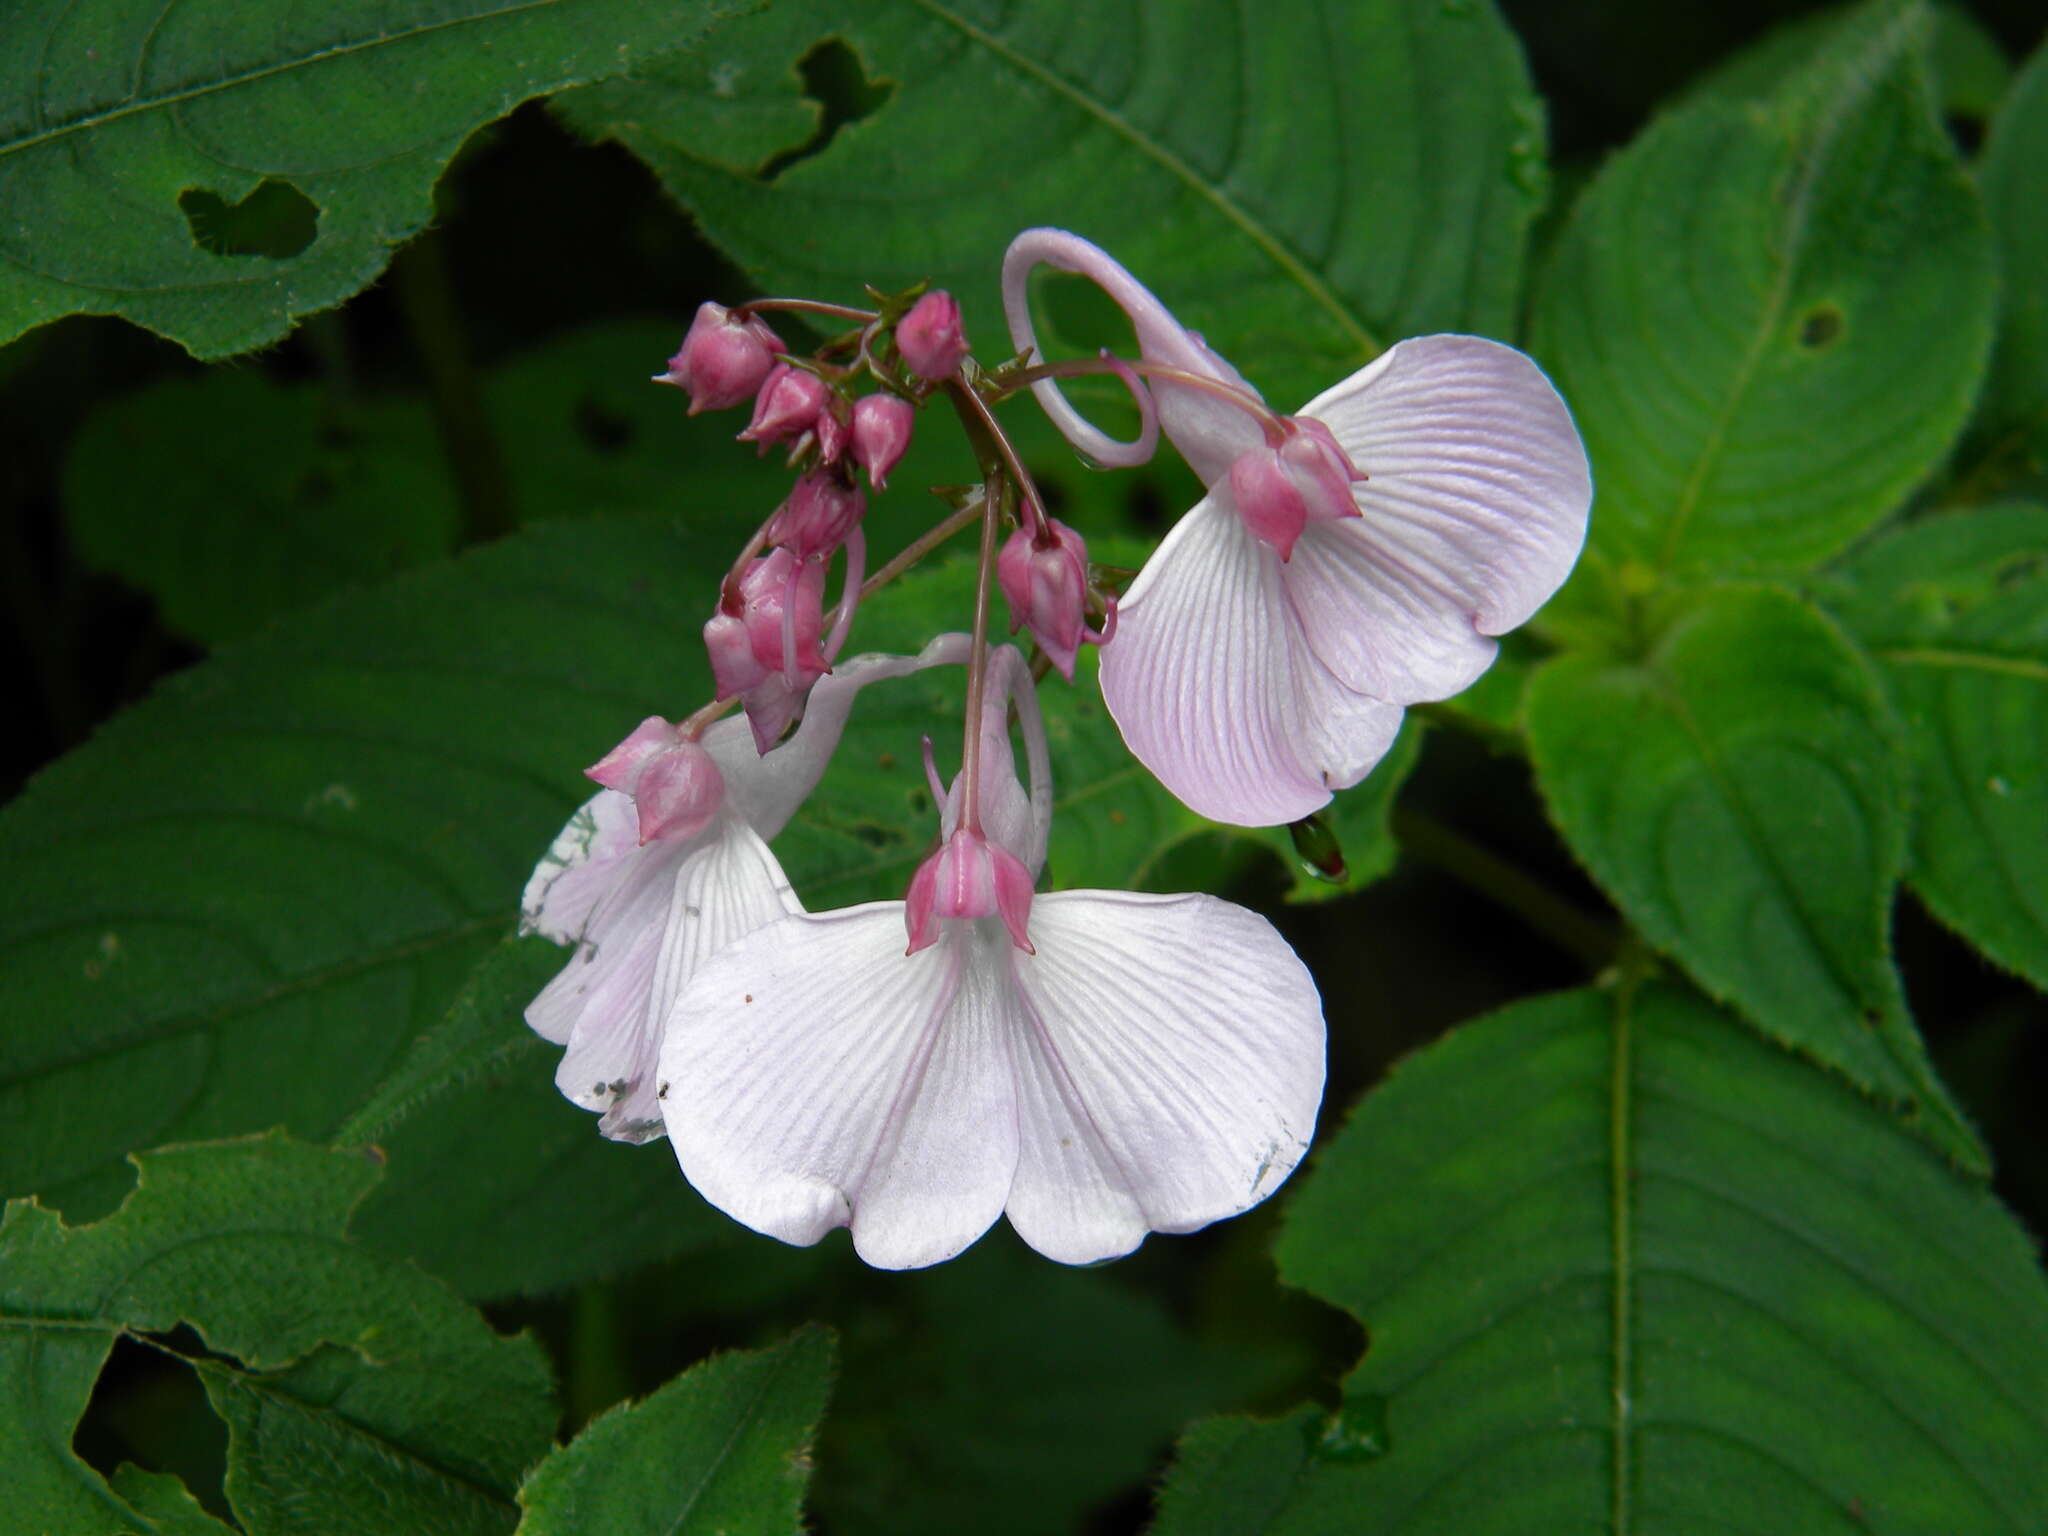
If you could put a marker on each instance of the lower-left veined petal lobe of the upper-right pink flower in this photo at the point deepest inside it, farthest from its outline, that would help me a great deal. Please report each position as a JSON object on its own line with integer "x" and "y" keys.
{"x": 1201, "y": 675}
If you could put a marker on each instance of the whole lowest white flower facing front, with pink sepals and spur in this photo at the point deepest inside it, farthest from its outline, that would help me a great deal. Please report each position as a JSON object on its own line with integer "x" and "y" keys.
{"x": 1148, "y": 1064}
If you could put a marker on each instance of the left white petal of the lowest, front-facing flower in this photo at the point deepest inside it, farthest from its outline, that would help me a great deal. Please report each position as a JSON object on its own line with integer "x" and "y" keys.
{"x": 820, "y": 1078}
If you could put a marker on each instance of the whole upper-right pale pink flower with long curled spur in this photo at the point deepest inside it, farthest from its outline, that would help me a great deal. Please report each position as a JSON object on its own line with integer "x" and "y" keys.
{"x": 1271, "y": 644}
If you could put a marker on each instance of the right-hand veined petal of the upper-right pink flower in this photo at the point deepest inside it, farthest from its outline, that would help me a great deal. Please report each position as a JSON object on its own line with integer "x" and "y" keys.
{"x": 1474, "y": 515}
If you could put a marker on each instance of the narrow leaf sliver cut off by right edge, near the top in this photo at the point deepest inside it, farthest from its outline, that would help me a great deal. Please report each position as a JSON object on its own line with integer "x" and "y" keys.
{"x": 2016, "y": 189}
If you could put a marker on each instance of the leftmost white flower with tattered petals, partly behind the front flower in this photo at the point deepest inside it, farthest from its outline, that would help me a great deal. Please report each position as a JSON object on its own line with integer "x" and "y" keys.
{"x": 644, "y": 916}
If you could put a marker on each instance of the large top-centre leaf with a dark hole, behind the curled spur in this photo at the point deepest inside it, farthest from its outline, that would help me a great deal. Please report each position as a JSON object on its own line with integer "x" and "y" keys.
{"x": 1338, "y": 187}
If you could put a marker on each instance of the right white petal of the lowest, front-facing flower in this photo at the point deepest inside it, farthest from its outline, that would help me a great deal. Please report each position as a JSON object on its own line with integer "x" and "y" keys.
{"x": 1179, "y": 1068}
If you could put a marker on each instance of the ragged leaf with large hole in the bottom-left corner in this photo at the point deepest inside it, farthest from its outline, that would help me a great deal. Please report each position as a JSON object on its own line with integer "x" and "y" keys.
{"x": 359, "y": 1396}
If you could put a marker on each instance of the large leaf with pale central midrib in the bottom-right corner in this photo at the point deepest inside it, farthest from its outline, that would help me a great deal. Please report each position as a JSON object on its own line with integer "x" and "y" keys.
{"x": 1629, "y": 1269}
